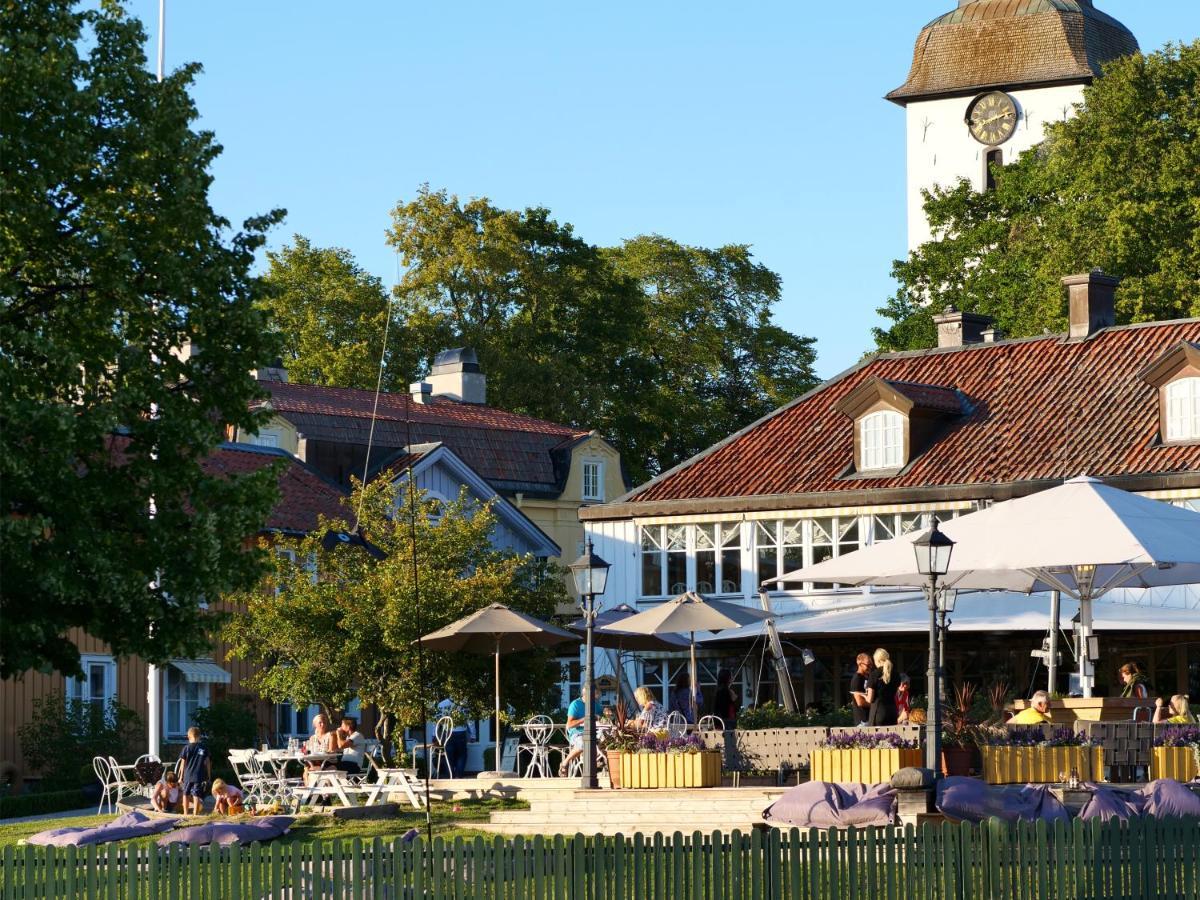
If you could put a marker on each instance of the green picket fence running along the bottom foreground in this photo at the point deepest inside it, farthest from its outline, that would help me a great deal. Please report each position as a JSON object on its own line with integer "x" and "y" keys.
{"x": 1147, "y": 859}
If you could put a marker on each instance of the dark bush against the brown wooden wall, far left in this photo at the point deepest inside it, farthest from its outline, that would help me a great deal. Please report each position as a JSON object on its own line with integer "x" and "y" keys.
{"x": 63, "y": 736}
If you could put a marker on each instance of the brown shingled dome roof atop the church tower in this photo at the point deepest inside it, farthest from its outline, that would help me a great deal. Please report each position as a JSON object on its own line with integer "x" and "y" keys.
{"x": 1007, "y": 44}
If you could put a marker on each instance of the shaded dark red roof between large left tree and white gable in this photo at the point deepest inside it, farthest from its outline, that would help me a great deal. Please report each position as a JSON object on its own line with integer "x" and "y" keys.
{"x": 304, "y": 495}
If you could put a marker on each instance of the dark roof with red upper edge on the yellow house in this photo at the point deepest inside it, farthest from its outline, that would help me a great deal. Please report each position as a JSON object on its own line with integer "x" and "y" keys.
{"x": 513, "y": 452}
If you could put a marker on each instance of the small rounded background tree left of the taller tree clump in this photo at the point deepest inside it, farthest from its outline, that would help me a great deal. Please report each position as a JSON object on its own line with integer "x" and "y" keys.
{"x": 331, "y": 315}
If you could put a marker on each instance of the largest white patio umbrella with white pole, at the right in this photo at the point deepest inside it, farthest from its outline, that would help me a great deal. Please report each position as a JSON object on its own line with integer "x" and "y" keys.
{"x": 1082, "y": 538}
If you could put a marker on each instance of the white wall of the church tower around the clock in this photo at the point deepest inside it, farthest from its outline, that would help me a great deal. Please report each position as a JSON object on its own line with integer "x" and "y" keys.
{"x": 941, "y": 151}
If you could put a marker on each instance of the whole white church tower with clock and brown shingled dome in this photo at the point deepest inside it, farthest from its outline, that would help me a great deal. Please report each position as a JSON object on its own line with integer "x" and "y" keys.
{"x": 986, "y": 80}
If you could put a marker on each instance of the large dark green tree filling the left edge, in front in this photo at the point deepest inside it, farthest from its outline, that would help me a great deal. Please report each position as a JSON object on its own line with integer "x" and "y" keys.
{"x": 112, "y": 263}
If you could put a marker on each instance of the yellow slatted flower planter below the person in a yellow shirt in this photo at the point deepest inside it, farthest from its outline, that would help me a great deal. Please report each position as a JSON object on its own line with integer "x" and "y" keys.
{"x": 1028, "y": 755}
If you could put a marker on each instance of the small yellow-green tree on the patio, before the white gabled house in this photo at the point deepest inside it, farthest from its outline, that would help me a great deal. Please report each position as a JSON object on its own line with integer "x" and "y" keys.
{"x": 333, "y": 625}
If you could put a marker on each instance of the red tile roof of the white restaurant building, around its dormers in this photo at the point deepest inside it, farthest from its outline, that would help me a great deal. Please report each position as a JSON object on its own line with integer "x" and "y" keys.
{"x": 1041, "y": 409}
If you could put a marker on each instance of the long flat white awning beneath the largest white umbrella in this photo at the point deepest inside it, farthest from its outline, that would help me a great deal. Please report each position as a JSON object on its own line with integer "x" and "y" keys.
{"x": 989, "y": 613}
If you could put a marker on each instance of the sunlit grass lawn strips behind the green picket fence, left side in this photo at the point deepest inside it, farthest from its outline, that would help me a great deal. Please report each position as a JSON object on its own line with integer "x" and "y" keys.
{"x": 451, "y": 820}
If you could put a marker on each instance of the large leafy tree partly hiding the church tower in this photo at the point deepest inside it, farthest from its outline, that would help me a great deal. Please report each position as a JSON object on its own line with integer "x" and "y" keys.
{"x": 1113, "y": 188}
